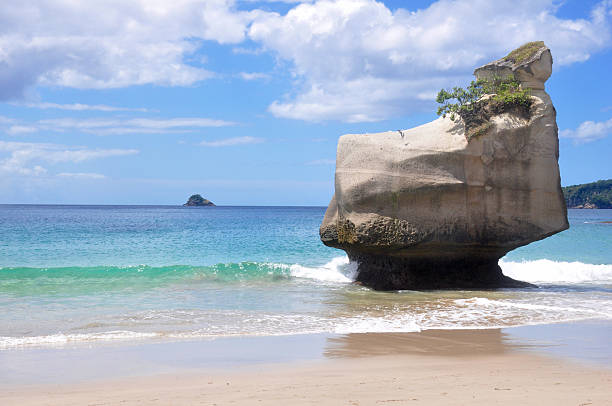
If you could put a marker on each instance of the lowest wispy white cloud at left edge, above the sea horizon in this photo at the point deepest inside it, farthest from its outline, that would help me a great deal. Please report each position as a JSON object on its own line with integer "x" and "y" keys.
{"x": 25, "y": 158}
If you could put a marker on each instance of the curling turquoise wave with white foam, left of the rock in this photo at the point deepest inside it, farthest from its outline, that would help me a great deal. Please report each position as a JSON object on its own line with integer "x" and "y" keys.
{"x": 65, "y": 280}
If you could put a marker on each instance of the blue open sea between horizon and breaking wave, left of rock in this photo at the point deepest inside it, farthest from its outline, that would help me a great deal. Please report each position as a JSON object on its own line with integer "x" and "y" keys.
{"x": 59, "y": 236}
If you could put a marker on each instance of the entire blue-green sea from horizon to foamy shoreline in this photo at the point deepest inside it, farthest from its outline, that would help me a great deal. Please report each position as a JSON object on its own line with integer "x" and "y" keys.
{"x": 71, "y": 275}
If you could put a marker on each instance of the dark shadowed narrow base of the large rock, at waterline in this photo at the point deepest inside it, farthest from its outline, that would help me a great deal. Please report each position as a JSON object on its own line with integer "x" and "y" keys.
{"x": 381, "y": 272}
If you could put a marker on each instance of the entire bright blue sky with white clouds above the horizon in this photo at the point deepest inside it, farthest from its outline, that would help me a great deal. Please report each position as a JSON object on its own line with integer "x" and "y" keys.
{"x": 242, "y": 101}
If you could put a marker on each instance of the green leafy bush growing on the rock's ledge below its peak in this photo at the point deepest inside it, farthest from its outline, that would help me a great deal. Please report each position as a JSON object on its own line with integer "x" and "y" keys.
{"x": 483, "y": 99}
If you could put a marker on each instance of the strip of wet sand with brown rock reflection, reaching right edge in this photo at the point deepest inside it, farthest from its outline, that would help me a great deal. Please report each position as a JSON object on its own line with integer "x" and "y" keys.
{"x": 585, "y": 342}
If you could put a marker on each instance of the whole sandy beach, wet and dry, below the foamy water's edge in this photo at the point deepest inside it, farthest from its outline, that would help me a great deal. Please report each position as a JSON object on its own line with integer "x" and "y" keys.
{"x": 509, "y": 366}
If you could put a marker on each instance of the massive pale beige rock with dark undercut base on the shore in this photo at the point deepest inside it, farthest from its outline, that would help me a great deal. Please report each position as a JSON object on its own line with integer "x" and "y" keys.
{"x": 427, "y": 209}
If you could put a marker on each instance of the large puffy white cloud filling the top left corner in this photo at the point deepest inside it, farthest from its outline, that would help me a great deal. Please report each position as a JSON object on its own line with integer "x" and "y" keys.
{"x": 107, "y": 44}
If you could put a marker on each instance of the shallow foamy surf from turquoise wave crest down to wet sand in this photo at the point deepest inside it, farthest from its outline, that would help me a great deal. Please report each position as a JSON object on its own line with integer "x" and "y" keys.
{"x": 303, "y": 300}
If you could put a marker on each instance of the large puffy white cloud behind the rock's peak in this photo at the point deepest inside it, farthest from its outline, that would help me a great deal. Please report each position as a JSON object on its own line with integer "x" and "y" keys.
{"x": 356, "y": 60}
